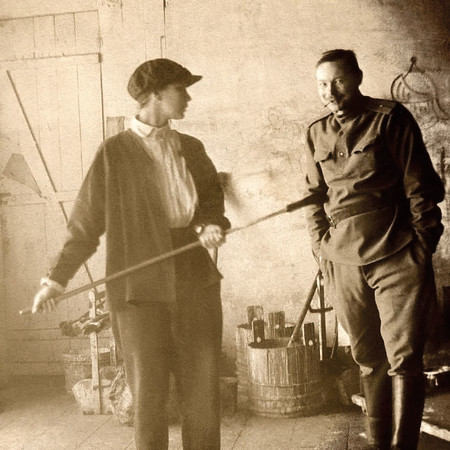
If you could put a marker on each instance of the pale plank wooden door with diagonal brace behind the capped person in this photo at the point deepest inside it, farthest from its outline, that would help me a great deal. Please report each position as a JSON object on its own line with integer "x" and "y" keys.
{"x": 51, "y": 123}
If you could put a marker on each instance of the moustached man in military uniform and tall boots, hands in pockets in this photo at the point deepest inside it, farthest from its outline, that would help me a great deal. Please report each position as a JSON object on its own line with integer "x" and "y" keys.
{"x": 374, "y": 226}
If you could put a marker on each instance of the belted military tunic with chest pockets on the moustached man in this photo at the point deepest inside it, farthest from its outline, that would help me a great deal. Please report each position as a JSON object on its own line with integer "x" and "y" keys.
{"x": 372, "y": 176}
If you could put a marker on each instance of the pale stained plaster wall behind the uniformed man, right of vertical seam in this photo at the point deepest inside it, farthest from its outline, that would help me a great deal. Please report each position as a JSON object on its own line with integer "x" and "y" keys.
{"x": 256, "y": 98}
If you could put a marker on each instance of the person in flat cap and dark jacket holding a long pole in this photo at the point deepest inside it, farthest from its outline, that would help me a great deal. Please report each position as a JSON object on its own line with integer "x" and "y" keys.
{"x": 151, "y": 189}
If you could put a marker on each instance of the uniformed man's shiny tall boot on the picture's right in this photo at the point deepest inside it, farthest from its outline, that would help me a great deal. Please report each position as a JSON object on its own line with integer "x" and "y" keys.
{"x": 408, "y": 402}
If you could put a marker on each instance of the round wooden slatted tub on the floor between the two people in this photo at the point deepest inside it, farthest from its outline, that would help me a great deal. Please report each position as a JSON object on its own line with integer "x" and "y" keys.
{"x": 284, "y": 381}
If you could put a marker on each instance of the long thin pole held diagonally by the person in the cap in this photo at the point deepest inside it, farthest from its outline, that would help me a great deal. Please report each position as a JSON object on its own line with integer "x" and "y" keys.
{"x": 288, "y": 208}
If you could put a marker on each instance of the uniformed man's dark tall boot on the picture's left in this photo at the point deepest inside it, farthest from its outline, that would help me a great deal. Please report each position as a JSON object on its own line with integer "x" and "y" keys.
{"x": 377, "y": 389}
